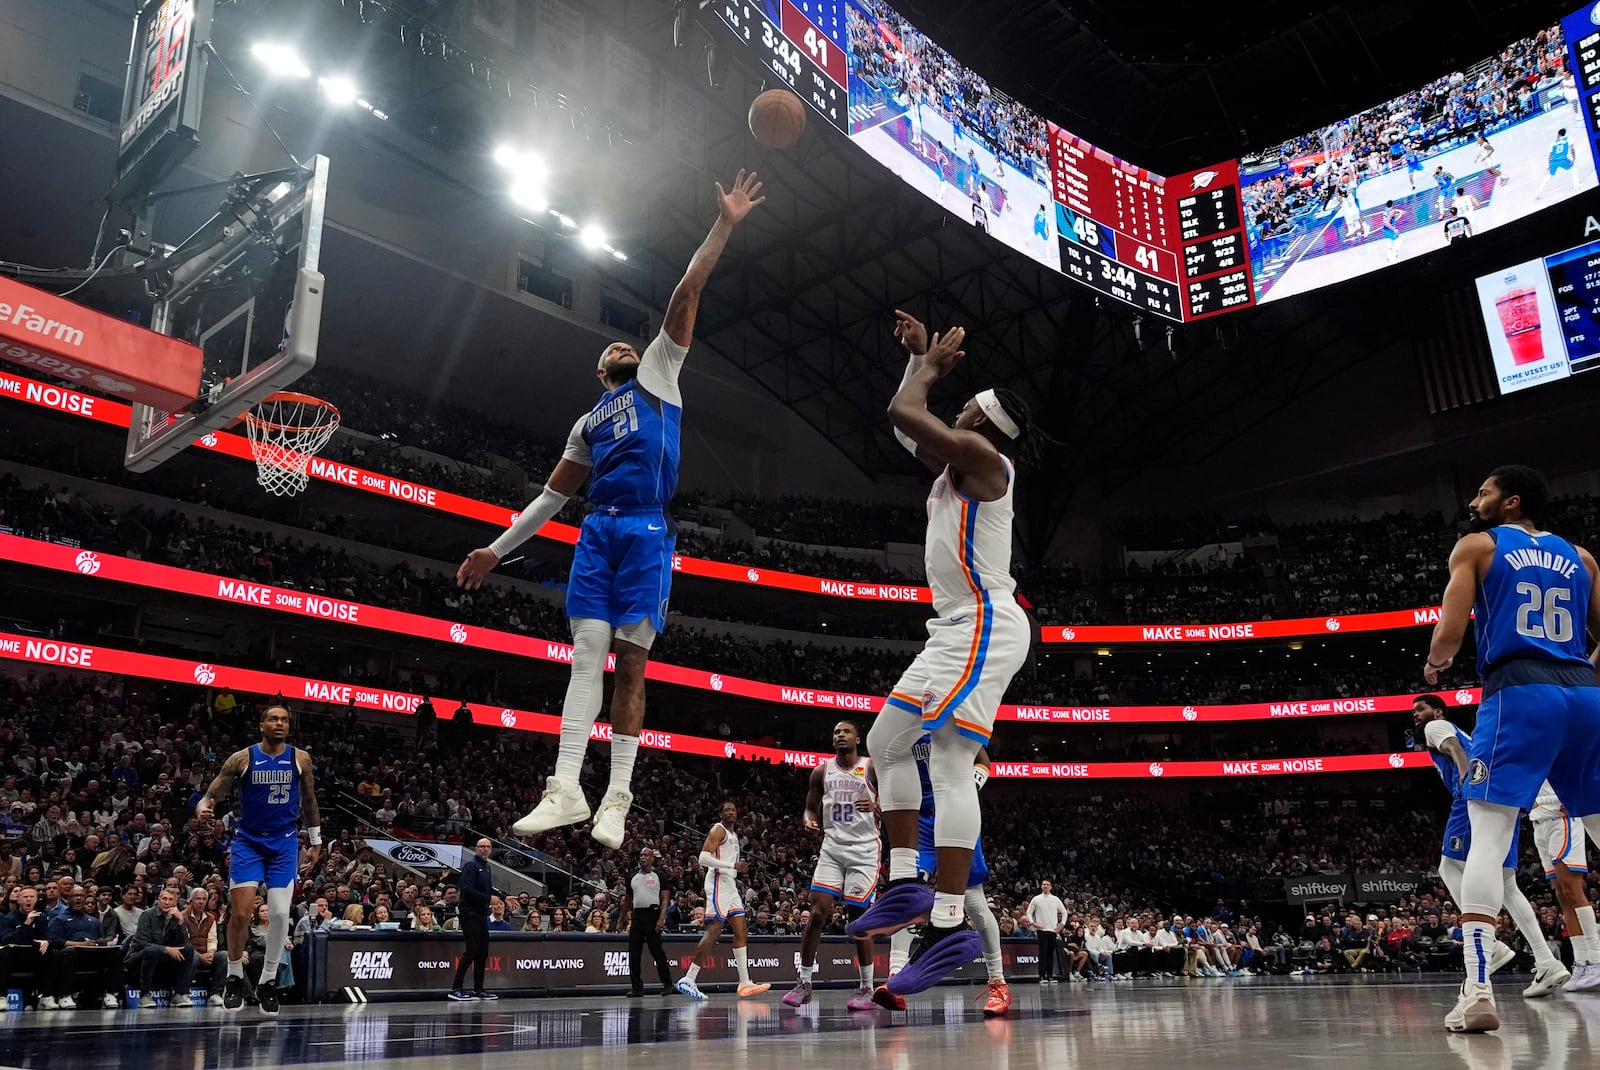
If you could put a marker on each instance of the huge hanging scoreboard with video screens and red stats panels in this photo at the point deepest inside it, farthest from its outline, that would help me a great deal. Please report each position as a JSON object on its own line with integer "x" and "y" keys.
{"x": 1316, "y": 210}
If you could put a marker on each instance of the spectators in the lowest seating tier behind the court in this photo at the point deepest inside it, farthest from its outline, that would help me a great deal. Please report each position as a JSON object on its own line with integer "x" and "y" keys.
{"x": 100, "y": 777}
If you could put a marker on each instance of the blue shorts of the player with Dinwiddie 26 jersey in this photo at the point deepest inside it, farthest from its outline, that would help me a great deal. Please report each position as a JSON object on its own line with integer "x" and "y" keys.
{"x": 1534, "y": 733}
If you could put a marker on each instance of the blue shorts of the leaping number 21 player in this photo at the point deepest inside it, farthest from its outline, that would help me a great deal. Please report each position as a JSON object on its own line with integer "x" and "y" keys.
{"x": 623, "y": 569}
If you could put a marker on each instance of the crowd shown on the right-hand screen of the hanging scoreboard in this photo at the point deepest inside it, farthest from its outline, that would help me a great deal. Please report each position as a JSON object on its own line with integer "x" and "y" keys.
{"x": 1441, "y": 116}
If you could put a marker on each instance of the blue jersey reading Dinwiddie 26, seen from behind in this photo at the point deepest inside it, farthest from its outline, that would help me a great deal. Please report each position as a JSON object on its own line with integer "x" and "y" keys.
{"x": 1534, "y": 602}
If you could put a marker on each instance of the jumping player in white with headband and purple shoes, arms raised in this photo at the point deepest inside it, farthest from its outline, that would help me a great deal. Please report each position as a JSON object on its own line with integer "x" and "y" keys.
{"x": 977, "y": 642}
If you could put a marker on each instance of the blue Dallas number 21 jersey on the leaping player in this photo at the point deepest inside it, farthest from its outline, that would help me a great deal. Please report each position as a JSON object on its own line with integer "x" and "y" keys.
{"x": 633, "y": 441}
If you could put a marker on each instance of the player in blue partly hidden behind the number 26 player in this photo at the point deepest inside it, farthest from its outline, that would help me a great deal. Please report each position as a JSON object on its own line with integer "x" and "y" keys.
{"x": 1449, "y": 746}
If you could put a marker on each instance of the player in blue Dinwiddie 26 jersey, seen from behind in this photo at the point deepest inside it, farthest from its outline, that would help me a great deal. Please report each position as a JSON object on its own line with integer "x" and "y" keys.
{"x": 1532, "y": 596}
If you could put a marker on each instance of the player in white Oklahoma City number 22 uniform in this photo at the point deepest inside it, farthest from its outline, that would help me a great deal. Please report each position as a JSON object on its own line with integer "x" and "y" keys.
{"x": 842, "y": 802}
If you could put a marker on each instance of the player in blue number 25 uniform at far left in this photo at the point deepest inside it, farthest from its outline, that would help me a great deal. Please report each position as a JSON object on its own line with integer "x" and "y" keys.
{"x": 276, "y": 791}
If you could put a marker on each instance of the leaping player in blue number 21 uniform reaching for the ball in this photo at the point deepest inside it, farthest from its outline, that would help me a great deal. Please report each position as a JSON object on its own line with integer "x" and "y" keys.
{"x": 626, "y": 449}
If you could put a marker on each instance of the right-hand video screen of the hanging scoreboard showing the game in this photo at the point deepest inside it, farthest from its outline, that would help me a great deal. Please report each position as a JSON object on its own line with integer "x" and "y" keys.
{"x": 1492, "y": 143}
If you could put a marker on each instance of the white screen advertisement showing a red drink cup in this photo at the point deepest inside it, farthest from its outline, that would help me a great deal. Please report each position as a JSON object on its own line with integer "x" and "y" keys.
{"x": 1524, "y": 327}
